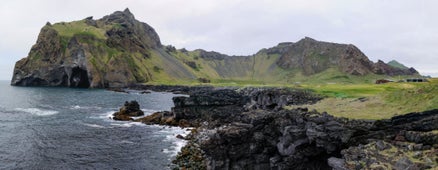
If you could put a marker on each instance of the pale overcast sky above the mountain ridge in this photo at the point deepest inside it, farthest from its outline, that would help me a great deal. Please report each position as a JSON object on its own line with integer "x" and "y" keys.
{"x": 404, "y": 30}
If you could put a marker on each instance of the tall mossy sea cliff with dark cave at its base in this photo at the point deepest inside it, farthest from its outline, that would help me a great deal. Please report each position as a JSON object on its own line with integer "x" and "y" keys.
{"x": 109, "y": 52}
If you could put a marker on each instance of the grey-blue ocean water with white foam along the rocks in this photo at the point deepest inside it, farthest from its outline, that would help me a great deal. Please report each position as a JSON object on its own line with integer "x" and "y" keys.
{"x": 65, "y": 128}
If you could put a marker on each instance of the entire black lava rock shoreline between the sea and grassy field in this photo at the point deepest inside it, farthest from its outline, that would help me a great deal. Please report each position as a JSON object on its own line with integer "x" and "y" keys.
{"x": 249, "y": 129}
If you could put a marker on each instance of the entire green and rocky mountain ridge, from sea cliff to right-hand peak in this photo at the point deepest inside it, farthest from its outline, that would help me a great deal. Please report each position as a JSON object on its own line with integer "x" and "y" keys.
{"x": 117, "y": 51}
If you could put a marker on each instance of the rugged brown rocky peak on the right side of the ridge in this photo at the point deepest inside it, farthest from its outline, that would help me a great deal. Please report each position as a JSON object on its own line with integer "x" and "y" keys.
{"x": 313, "y": 56}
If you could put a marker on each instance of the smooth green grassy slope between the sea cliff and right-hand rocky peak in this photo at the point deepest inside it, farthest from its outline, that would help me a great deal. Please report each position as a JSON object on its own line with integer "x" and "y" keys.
{"x": 257, "y": 70}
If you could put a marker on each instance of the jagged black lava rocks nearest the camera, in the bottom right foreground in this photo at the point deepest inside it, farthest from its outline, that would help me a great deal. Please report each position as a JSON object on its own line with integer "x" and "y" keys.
{"x": 297, "y": 139}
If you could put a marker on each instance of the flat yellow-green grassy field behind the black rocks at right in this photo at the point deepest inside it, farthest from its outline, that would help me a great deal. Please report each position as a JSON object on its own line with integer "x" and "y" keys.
{"x": 372, "y": 101}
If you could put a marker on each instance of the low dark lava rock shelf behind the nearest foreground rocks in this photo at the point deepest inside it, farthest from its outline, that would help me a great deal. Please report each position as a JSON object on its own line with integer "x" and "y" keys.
{"x": 215, "y": 107}
